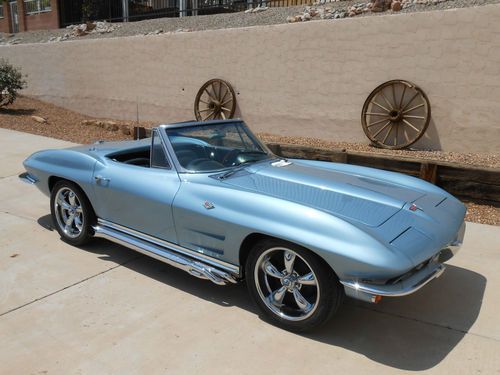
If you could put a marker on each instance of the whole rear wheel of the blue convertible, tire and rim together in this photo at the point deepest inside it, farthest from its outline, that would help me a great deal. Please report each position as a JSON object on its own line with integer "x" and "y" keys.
{"x": 72, "y": 213}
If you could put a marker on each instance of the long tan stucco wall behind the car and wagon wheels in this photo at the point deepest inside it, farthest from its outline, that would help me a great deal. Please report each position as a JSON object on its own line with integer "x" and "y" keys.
{"x": 306, "y": 79}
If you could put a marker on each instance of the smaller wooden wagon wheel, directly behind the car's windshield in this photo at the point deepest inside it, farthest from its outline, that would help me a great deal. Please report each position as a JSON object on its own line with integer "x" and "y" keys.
{"x": 215, "y": 100}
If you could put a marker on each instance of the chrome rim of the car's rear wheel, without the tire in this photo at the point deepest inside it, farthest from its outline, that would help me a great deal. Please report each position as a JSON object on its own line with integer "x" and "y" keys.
{"x": 69, "y": 212}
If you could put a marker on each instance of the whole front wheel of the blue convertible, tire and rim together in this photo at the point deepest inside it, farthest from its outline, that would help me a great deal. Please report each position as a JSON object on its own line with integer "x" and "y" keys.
{"x": 291, "y": 285}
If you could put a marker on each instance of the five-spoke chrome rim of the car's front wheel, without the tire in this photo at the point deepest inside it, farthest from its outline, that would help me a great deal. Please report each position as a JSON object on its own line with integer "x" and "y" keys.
{"x": 287, "y": 284}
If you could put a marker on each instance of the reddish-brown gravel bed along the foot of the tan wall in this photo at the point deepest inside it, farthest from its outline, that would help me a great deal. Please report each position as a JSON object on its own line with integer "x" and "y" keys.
{"x": 67, "y": 125}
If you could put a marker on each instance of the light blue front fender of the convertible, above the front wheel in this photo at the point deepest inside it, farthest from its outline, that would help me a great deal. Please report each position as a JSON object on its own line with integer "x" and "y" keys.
{"x": 216, "y": 218}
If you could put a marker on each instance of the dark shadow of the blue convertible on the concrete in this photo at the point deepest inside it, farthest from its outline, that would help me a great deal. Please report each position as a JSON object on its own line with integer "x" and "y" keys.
{"x": 413, "y": 333}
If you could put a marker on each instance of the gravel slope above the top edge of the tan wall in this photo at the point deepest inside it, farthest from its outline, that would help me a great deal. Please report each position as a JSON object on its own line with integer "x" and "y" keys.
{"x": 227, "y": 20}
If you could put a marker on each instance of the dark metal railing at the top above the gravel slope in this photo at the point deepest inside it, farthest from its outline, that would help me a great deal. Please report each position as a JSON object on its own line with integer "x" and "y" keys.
{"x": 77, "y": 11}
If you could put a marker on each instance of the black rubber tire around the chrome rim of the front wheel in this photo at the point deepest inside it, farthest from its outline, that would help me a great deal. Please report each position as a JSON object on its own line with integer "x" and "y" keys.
{"x": 328, "y": 297}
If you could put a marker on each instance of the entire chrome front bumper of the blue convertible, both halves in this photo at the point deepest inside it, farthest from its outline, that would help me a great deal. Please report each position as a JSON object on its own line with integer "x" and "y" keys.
{"x": 432, "y": 270}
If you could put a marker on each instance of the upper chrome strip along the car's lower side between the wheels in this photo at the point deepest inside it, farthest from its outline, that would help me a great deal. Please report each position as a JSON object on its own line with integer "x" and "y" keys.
{"x": 227, "y": 267}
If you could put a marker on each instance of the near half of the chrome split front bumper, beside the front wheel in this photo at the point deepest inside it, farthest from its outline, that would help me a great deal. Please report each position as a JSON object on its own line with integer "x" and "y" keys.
{"x": 403, "y": 288}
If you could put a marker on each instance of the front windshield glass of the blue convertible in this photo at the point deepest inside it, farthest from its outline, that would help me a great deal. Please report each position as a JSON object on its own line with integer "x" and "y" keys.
{"x": 216, "y": 147}
